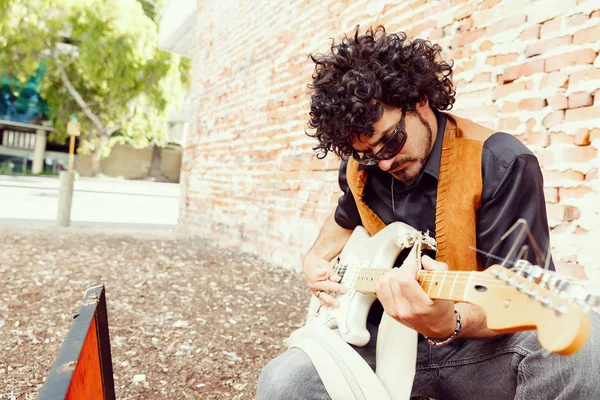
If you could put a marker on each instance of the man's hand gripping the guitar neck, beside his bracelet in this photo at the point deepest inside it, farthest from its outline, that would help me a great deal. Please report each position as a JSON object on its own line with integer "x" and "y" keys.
{"x": 404, "y": 299}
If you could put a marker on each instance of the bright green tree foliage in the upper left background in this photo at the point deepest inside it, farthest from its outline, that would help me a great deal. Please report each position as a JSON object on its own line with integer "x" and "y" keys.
{"x": 103, "y": 65}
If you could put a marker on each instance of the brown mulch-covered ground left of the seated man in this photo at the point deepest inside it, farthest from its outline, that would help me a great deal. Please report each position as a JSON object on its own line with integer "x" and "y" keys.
{"x": 187, "y": 319}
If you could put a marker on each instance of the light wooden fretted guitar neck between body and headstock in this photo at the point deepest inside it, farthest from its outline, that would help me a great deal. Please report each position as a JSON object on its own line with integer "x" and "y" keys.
{"x": 447, "y": 285}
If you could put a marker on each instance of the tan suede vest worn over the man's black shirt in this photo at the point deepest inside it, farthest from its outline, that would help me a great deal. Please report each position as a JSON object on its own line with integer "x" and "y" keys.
{"x": 458, "y": 194}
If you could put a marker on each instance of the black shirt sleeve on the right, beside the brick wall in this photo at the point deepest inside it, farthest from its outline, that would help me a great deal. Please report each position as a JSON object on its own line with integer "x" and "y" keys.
{"x": 513, "y": 189}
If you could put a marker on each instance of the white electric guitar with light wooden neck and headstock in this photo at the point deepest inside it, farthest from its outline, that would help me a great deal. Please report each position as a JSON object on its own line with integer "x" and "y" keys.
{"x": 526, "y": 297}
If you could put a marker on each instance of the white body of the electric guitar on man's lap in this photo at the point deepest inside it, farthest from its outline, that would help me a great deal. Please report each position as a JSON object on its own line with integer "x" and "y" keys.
{"x": 361, "y": 251}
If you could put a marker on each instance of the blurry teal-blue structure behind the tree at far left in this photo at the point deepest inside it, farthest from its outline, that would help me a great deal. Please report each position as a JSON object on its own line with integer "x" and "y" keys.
{"x": 24, "y": 105}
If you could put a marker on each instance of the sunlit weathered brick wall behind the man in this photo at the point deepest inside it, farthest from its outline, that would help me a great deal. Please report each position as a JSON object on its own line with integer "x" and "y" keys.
{"x": 527, "y": 67}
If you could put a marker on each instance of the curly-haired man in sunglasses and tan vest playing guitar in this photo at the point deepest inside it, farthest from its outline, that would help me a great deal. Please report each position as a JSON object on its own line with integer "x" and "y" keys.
{"x": 378, "y": 102}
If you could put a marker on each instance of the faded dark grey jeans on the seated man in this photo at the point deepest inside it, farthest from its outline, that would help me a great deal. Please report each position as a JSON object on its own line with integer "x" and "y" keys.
{"x": 504, "y": 367}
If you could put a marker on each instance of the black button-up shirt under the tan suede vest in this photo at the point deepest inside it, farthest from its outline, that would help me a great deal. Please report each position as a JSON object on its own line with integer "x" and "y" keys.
{"x": 512, "y": 189}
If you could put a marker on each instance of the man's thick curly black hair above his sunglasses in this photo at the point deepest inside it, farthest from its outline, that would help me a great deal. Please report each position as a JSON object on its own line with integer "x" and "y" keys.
{"x": 363, "y": 73}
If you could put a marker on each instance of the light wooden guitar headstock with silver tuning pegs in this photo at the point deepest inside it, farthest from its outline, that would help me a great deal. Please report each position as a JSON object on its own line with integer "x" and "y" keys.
{"x": 529, "y": 297}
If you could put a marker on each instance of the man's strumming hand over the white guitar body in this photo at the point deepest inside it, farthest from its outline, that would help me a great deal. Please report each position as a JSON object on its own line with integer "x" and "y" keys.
{"x": 322, "y": 281}
